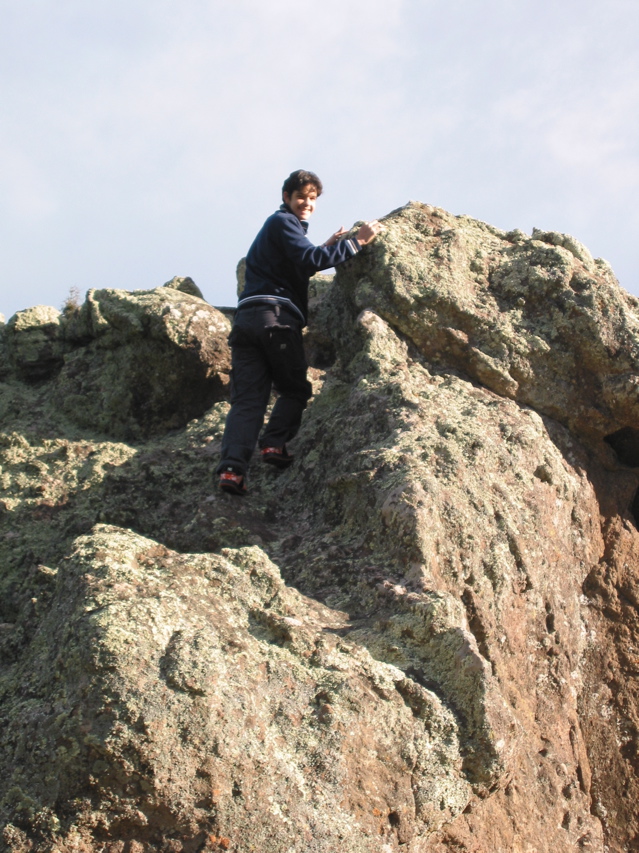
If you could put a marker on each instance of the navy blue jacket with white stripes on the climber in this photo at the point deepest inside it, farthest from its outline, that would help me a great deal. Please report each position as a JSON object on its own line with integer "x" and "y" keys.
{"x": 282, "y": 259}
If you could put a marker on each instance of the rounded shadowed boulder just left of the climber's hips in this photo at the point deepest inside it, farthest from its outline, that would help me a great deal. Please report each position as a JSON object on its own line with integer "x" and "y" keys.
{"x": 143, "y": 362}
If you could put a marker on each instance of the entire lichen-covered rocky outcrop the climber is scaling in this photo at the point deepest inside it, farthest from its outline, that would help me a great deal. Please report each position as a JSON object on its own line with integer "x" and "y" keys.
{"x": 421, "y": 637}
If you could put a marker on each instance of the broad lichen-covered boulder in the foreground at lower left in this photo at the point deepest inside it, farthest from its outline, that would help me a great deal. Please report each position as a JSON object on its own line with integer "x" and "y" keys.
{"x": 182, "y": 699}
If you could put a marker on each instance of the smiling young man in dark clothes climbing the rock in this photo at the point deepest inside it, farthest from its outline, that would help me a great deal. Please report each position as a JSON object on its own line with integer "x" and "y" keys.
{"x": 266, "y": 340}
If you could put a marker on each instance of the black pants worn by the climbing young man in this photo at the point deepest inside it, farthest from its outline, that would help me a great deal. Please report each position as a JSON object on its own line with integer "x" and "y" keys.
{"x": 266, "y": 352}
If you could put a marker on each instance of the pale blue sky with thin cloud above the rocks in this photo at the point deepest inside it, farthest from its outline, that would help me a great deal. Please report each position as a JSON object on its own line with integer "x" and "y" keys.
{"x": 142, "y": 139}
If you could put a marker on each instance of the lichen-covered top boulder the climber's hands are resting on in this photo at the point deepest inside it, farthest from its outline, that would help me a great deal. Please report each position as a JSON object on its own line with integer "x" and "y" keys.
{"x": 534, "y": 319}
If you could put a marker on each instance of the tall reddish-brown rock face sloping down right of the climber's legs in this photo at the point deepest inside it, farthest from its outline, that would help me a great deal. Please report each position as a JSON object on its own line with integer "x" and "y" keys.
{"x": 457, "y": 528}
